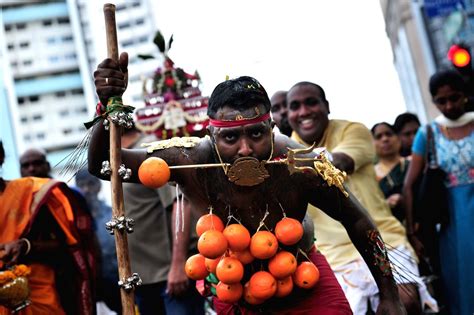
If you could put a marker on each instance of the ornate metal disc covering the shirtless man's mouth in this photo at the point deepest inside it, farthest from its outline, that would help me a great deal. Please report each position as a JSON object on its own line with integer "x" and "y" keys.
{"x": 247, "y": 171}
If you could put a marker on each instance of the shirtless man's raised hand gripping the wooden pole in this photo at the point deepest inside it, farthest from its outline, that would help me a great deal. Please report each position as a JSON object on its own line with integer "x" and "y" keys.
{"x": 111, "y": 78}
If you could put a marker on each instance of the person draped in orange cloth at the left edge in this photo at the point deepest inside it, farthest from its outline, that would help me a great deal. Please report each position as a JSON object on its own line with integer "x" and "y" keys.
{"x": 43, "y": 226}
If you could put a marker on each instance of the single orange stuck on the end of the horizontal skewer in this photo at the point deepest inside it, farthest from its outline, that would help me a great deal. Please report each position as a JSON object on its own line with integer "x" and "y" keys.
{"x": 154, "y": 172}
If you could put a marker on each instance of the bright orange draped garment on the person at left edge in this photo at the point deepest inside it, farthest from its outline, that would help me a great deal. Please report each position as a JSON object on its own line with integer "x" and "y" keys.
{"x": 19, "y": 205}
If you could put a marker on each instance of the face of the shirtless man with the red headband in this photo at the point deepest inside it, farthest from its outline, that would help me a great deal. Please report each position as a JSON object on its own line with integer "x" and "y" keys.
{"x": 253, "y": 140}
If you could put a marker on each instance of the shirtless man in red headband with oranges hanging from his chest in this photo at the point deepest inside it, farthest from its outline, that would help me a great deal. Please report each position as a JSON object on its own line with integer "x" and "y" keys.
{"x": 240, "y": 127}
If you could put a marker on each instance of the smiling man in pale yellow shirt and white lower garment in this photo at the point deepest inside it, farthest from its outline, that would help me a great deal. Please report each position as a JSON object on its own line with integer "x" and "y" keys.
{"x": 349, "y": 146}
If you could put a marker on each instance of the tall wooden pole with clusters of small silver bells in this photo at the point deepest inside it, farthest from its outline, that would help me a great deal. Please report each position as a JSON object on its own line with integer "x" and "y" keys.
{"x": 121, "y": 244}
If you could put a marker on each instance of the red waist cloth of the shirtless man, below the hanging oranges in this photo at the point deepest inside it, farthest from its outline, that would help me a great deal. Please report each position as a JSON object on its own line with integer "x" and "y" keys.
{"x": 326, "y": 298}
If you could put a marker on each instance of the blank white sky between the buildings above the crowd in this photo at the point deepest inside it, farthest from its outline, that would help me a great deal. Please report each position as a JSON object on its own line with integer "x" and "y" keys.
{"x": 340, "y": 45}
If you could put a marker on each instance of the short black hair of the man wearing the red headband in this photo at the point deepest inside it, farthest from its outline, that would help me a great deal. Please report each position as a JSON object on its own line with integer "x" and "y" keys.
{"x": 240, "y": 94}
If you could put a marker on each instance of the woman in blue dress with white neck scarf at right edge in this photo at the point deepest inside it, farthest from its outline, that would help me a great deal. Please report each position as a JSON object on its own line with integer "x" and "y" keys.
{"x": 453, "y": 133}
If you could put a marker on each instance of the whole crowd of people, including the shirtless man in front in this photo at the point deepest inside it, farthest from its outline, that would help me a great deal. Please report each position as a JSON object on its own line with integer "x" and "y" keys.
{"x": 59, "y": 231}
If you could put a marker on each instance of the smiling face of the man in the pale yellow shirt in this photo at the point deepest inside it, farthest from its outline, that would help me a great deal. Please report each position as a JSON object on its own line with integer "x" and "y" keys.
{"x": 307, "y": 112}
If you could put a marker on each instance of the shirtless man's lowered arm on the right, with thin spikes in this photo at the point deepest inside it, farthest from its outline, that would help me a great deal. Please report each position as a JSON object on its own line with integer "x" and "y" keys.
{"x": 366, "y": 238}
